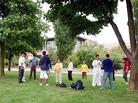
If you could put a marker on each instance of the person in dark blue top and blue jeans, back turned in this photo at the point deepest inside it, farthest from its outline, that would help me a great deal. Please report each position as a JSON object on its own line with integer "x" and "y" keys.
{"x": 108, "y": 72}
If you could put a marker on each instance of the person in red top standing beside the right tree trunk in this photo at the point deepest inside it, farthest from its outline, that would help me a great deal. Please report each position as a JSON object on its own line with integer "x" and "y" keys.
{"x": 126, "y": 68}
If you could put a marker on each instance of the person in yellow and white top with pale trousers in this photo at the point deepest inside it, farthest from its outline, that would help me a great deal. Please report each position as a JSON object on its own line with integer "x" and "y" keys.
{"x": 58, "y": 70}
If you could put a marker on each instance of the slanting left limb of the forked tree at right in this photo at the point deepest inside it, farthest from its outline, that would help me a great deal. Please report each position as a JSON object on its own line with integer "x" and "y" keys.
{"x": 120, "y": 39}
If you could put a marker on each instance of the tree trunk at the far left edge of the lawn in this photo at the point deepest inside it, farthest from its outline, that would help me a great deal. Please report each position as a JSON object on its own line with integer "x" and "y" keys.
{"x": 1, "y": 59}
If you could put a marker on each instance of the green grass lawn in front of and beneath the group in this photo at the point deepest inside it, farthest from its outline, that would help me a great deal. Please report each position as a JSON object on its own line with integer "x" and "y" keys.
{"x": 31, "y": 92}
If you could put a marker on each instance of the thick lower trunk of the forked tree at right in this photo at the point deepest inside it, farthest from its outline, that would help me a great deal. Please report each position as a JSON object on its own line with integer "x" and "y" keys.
{"x": 133, "y": 81}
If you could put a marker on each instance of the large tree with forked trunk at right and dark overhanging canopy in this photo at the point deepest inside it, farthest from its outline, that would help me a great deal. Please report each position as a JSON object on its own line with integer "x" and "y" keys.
{"x": 70, "y": 11}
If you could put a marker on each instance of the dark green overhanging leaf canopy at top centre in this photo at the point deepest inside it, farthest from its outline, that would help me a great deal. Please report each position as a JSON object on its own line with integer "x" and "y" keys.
{"x": 73, "y": 13}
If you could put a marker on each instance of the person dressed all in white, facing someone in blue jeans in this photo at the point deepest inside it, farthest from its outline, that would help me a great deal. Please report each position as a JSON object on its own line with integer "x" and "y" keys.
{"x": 97, "y": 64}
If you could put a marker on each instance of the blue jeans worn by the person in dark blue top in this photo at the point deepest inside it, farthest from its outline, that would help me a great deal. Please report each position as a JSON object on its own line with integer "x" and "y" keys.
{"x": 108, "y": 75}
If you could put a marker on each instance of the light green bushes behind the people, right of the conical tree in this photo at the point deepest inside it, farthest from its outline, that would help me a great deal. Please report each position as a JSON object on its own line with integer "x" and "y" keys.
{"x": 87, "y": 53}
